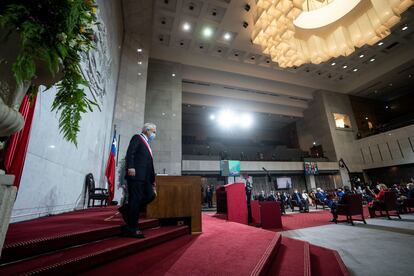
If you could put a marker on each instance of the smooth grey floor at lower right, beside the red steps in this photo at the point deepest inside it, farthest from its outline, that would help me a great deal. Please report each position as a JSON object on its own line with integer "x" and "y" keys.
{"x": 382, "y": 247}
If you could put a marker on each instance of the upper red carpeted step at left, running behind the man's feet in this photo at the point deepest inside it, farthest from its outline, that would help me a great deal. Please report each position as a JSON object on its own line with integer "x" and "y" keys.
{"x": 22, "y": 246}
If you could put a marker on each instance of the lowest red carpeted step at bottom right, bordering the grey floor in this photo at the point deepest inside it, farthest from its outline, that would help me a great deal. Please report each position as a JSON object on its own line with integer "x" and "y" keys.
{"x": 326, "y": 262}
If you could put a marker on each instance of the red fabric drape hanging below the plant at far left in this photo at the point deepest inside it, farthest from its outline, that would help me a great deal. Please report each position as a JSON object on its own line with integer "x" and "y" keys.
{"x": 17, "y": 147}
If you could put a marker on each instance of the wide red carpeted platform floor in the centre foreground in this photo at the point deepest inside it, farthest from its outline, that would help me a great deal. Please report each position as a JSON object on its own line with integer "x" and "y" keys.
{"x": 224, "y": 248}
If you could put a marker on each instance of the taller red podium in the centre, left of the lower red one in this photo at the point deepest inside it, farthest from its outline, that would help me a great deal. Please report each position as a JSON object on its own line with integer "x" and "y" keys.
{"x": 231, "y": 201}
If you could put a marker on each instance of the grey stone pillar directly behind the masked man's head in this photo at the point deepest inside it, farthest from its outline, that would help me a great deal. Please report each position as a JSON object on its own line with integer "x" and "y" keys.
{"x": 163, "y": 108}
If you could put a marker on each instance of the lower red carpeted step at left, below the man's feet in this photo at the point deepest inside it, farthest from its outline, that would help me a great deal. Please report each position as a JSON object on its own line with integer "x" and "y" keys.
{"x": 81, "y": 258}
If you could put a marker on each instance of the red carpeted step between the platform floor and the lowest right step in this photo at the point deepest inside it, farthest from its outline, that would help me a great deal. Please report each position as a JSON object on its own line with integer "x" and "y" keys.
{"x": 293, "y": 259}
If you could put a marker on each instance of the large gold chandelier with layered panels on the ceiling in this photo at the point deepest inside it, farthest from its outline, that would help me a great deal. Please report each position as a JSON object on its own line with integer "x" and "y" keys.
{"x": 296, "y": 32}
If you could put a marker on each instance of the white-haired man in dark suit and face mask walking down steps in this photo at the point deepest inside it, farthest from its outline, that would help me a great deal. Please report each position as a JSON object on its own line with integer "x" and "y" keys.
{"x": 140, "y": 178}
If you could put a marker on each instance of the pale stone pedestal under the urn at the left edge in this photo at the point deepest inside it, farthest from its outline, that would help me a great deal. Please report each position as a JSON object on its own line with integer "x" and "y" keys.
{"x": 7, "y": 198}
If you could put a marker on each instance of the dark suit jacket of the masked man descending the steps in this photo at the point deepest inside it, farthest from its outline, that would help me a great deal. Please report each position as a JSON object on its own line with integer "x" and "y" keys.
{"x": 139, "y": 158}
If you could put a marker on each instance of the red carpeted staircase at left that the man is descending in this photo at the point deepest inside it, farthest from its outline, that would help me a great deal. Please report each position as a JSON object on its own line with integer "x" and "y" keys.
{"x": 73, "y": 252}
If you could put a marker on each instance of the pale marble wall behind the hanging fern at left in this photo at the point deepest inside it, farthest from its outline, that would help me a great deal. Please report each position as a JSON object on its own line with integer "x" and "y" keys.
{"x": 54, "y": 172}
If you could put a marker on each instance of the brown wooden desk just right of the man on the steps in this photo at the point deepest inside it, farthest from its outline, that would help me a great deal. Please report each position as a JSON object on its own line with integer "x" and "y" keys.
{"x": 178, "y": 197}
